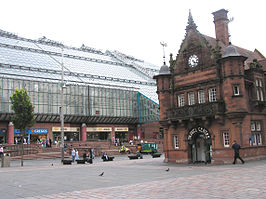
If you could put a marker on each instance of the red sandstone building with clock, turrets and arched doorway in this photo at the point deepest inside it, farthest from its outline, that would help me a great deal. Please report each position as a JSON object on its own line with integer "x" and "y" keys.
{"x": 212, "y": 93}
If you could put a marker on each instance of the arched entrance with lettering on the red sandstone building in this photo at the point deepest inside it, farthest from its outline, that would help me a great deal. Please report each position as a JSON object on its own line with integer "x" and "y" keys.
{"x": 199, "y": 145}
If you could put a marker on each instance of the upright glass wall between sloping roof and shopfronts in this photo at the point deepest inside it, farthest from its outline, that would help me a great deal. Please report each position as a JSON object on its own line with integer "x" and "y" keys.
{"x": 81, "y": 100}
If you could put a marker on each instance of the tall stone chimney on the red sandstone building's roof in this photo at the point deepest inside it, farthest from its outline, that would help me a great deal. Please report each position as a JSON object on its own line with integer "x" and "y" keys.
{"x": 221, "y": 26}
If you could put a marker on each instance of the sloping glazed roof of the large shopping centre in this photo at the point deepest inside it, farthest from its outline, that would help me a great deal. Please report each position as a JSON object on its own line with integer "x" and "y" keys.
{"x": 106, "y": 74}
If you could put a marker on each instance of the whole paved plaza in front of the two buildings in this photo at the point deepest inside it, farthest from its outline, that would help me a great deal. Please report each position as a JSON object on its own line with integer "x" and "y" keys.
{"x": 124, "y": 178}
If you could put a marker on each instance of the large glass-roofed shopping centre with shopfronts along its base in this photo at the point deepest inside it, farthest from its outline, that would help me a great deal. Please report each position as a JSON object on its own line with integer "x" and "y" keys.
{"x": 106, "y": 94}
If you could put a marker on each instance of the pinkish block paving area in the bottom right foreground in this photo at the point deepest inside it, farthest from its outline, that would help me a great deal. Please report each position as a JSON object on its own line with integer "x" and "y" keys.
{"x": 241, "y": 183}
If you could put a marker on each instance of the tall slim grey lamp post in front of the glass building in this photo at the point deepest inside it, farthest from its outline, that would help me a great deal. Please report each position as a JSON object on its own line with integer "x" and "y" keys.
{"x": 62, "y": 107}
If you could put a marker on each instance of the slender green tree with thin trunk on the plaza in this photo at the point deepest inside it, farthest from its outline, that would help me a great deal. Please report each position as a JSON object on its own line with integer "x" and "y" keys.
{"x": 23, "y": 117}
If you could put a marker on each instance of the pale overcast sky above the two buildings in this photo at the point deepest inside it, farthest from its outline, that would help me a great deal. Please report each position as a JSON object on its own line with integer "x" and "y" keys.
{"x": 133, "y": 27}
